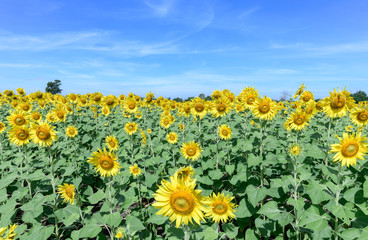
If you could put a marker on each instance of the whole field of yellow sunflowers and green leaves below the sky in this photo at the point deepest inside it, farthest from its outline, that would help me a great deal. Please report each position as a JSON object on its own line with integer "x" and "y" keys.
{"x": 235, "y": 167}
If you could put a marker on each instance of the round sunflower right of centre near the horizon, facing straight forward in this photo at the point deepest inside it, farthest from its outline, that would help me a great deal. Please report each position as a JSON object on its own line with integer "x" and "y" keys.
{"x": 264, "y": 108}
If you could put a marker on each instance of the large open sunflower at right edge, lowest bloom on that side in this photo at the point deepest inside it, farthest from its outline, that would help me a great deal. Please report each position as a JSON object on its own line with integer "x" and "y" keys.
{"x": 349, "y": 149}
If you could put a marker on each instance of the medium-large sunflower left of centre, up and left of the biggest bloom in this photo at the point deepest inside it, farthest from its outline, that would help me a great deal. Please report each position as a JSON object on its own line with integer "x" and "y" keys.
{"x": 105, "y": 162}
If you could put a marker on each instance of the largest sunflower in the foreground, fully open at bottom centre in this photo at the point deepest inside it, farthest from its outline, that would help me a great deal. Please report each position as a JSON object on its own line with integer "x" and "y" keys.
{"x": 182, "y": 203}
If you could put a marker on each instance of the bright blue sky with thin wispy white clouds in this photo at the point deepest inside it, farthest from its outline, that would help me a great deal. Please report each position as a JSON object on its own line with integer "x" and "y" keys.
{"x": 181, "y": 48}
